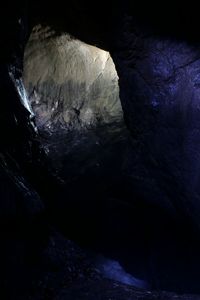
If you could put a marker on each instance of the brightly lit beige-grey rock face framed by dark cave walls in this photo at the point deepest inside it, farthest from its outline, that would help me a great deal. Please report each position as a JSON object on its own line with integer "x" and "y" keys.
{"x": 70, "y": 84}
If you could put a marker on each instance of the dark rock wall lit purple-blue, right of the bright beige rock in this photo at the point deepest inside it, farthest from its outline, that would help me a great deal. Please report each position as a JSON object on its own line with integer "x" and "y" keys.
{"x": 159, "y": 90}
